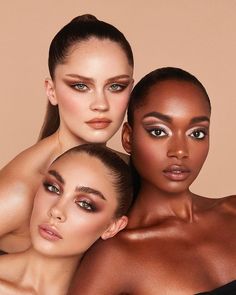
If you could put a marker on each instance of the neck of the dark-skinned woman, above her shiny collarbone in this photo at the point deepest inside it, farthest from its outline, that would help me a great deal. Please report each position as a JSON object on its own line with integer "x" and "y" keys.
{"x": 154, "y": 206}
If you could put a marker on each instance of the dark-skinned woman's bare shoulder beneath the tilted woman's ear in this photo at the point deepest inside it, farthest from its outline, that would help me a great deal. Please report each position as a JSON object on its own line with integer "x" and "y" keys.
{"x": 103, "y": 269}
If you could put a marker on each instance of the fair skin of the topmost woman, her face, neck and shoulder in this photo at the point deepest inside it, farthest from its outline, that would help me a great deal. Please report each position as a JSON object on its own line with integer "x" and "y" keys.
{"x": 93, "y": 84}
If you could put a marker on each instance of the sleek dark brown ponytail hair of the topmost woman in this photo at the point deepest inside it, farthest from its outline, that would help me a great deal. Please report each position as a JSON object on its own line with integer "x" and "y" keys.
{"x": 81, "y": 28}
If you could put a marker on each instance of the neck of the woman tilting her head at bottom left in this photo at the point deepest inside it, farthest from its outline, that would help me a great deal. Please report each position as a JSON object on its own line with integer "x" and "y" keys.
{"x": 41, "y": 272}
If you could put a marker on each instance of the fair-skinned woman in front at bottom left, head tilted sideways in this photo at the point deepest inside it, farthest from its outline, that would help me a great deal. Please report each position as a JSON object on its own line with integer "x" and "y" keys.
{"x": 84, "y": 195}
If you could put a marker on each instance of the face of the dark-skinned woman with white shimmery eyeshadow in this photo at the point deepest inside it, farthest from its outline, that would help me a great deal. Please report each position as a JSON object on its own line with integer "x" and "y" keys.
{"x": 170, "y": 136}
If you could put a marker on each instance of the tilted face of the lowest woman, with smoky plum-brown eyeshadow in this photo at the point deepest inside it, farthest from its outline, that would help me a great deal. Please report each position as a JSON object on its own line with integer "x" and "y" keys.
{"x": 74, "y": 206}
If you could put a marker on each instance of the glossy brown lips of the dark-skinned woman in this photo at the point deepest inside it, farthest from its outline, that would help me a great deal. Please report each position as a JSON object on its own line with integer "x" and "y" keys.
{"x": 176, "y": 172}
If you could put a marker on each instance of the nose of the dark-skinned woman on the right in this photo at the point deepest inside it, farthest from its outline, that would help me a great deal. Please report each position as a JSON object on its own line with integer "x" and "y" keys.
{"x": 178, "y": 148}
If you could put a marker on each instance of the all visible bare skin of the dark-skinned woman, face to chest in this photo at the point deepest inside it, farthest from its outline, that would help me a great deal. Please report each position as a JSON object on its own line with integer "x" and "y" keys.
{"x": 176, "y": 242}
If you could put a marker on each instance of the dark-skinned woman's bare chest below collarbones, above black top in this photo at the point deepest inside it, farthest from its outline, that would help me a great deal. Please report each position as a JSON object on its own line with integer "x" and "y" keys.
{"x": 184, "y": 261}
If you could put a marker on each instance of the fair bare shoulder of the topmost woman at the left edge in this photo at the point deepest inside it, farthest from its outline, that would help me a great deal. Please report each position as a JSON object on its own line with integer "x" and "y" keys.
{"x": 19, "y": 181}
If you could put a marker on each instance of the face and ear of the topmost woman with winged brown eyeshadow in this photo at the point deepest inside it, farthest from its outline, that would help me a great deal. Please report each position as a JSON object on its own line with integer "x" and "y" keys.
{"x": 92, "y": 89}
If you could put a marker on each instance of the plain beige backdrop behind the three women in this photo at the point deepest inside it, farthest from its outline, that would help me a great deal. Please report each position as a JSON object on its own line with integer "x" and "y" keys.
{"x": 197, "y": 35}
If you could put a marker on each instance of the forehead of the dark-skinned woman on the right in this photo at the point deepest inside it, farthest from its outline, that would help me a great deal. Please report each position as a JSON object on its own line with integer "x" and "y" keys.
{"x": 175, "y": 98}
